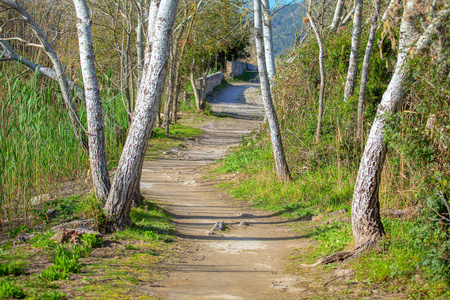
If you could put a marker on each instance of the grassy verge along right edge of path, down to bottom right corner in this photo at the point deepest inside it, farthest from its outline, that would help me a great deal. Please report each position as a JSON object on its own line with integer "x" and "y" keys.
{"x": 410, "y": 259}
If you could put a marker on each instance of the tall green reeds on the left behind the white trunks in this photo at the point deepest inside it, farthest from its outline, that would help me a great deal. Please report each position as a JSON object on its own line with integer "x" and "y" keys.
{"x": 38, "y": 149}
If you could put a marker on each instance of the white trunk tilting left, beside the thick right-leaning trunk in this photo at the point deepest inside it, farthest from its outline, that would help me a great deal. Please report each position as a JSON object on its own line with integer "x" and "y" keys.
{"x": 97, "y": 155}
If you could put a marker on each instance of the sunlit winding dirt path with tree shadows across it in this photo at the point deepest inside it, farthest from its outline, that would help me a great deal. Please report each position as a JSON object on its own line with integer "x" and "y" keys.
{"x": 244, "y": 262}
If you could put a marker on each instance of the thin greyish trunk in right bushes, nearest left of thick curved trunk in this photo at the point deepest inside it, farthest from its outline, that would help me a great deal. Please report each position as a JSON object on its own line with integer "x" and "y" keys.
{"x": 365, "y": 70}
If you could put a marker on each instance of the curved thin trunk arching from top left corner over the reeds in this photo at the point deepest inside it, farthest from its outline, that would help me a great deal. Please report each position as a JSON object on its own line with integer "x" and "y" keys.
{"x": 60, "y": 75}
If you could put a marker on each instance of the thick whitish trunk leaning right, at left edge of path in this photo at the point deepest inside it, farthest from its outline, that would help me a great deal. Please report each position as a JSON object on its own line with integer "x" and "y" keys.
{"x": 120, "y": 198}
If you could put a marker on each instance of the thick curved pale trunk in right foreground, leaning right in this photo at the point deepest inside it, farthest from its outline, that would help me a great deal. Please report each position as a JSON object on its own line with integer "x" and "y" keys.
{"x": 366, "y": 222}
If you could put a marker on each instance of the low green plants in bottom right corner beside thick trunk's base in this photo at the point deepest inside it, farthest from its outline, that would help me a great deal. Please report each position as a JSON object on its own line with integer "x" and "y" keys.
{"x": 404, "y": 256}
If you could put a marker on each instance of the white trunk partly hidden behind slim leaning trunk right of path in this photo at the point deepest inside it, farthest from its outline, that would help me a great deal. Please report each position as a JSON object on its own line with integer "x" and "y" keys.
{"x": 268, "y": 42}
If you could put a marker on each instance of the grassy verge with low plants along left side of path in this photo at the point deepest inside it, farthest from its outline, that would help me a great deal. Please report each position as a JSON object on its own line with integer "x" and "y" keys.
{"x": 121, "y": 265}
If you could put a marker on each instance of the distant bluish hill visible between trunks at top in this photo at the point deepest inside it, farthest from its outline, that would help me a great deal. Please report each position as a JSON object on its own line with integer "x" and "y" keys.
{"x": 286, "y": 23}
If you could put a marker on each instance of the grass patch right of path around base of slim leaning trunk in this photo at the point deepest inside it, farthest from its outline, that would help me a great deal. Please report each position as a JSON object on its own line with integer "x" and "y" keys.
{"x": 307, "y": 193}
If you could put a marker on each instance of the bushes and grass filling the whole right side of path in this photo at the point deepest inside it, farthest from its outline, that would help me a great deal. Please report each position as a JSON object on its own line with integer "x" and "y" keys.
{"x": 414, "y": 253}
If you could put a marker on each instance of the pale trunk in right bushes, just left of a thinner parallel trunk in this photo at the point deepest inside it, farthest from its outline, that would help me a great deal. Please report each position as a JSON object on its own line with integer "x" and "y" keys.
{"x": 354, "y": 53}
